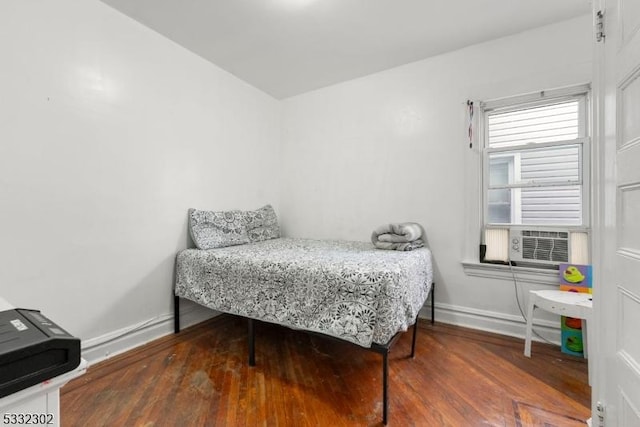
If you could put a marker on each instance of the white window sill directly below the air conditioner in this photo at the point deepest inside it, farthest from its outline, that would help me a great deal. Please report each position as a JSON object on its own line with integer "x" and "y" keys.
{"x": 504, "y": 272}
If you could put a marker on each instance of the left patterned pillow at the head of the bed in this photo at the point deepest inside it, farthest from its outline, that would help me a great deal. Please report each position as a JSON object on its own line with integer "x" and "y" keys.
{"x": 211, "y": 230}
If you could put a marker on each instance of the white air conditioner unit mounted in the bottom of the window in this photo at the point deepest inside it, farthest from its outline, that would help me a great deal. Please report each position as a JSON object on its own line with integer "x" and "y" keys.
{"x": 539, "y": 245}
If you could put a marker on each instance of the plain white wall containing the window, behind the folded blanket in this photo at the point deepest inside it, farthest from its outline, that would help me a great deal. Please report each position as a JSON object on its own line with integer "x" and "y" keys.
{"x": 393, "y": 147}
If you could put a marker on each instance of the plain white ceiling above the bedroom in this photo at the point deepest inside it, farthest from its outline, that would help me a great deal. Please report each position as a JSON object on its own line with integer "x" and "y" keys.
{"x": 288, "y": 47}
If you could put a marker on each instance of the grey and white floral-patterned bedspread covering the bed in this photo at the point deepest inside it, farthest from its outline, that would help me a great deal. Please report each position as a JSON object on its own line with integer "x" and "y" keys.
{"x": 348, "y": 290}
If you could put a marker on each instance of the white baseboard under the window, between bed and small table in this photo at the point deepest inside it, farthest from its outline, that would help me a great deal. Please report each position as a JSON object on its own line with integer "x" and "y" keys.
{"x": 490, "y": 321}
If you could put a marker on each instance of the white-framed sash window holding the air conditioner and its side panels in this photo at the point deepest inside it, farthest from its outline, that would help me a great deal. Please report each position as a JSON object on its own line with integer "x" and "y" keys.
{"x": 536, "y": 168}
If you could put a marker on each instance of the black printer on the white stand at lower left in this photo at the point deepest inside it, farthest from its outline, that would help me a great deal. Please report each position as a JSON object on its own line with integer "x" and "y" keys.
{"x": 33, "y": 349}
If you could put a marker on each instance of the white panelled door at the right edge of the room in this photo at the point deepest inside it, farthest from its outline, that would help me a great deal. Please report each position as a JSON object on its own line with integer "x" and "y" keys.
{"x": 617, "y": 216}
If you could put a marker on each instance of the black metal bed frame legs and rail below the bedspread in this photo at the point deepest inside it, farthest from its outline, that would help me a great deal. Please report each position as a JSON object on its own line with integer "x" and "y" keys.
{"x": 382, "y": 349}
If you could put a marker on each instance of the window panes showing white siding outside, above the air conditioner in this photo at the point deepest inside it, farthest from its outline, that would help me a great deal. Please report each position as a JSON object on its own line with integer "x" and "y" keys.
{"x": 535, "y": 185}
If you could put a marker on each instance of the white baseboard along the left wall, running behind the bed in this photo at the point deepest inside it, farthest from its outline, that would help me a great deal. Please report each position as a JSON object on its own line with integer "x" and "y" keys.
{"x": 103, "y": 347}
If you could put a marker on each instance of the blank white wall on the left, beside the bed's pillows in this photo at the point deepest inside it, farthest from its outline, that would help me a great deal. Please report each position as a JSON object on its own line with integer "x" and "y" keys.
{"x": 108, "y": 134}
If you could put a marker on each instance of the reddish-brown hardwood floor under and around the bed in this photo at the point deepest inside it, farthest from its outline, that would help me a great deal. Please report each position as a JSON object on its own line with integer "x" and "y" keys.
{"x": 200, "y": 377}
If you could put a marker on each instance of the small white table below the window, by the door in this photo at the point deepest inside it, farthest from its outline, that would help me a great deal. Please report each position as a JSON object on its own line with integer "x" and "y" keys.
{"x": 570, "y": 304}
